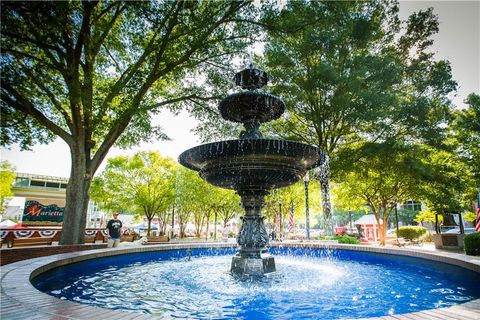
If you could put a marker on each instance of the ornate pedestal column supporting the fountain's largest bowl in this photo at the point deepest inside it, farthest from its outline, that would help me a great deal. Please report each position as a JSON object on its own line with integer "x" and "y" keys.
{"x": 252, "y": 259}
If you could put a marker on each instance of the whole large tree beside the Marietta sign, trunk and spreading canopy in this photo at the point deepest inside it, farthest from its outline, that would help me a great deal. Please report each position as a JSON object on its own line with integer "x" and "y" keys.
{"x": 94, "y": 73}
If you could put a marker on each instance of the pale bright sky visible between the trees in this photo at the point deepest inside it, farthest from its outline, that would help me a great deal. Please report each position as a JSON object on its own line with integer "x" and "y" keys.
{"x": 457, "y": 41}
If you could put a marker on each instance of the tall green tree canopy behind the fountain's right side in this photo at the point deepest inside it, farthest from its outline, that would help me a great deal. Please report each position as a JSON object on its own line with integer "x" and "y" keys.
{"x": 349, "y": 71}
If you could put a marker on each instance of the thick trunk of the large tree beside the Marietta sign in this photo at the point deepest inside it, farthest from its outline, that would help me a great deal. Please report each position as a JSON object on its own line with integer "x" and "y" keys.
{"x": 77, "y": 198}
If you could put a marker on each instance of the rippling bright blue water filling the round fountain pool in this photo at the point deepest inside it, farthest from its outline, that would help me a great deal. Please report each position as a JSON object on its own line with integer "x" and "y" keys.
{"x": 308, "y": 284}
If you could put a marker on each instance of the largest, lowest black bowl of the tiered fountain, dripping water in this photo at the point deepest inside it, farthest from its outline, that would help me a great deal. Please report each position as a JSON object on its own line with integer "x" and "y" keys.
{"x": 252, "y": 164}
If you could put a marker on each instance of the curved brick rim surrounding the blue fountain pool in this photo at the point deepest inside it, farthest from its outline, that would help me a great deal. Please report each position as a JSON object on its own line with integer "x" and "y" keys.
{"x": 19, "y": 297}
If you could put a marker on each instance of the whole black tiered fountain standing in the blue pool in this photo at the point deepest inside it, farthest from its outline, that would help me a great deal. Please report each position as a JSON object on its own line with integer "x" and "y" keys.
{"x": 252, "y": 165}
